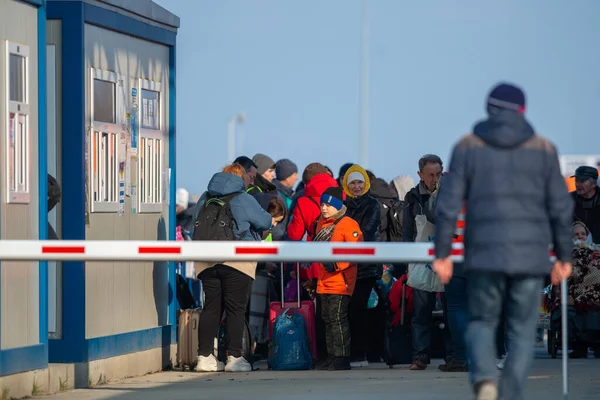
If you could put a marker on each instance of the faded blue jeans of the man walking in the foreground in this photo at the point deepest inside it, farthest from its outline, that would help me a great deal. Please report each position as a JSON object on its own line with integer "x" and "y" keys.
{"x": 487, "y": 292}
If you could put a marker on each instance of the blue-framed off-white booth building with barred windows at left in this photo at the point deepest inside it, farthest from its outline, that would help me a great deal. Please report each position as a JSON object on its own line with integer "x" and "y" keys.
{"x": 104, "y": 70}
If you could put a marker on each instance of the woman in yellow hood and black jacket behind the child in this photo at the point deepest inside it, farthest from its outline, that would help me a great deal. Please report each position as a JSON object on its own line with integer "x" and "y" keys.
{"x": 364, "y": 209}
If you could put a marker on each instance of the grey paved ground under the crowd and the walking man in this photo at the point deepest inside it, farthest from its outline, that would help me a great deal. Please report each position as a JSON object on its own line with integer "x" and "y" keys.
{"x": 376, "y": 382}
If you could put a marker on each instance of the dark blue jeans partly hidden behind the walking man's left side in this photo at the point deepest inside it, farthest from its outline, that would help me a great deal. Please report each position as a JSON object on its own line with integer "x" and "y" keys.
{"x": 458, "y": 315}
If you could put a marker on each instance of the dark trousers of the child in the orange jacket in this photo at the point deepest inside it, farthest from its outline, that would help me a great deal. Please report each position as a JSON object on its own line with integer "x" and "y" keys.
{"x": 334, "y": 310}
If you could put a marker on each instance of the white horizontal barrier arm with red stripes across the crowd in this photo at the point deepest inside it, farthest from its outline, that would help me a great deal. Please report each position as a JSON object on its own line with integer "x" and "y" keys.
{"x": 218, "y": 251}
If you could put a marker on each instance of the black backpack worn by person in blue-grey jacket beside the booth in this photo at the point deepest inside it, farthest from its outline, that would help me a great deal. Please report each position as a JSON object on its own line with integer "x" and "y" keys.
{"x": 215, "y": 220}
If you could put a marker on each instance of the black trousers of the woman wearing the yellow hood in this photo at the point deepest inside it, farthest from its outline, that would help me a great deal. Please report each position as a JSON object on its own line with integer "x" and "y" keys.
{"x": 359, "y": 318}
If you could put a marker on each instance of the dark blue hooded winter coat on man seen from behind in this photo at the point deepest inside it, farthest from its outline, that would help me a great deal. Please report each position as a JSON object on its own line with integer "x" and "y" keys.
{"x": 516, "y": 199}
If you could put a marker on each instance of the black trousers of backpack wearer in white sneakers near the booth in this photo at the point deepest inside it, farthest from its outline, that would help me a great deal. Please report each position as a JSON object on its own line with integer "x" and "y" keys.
{"x": 225, "y": 289}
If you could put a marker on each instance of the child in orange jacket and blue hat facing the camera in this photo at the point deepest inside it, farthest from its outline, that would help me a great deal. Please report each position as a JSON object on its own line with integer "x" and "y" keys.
{"x": 336, "y": 280}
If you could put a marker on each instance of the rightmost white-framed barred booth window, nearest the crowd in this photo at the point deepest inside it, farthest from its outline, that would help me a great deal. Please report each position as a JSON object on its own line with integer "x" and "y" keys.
{"x": 151, "y": 148}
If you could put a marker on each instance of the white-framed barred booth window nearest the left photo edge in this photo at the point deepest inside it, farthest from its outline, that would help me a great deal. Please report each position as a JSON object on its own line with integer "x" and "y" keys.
{"x": 17, "y": 144}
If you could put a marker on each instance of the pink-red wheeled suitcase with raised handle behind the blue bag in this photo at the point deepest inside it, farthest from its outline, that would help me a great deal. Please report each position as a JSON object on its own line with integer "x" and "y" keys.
{"x": 305, "y": 308}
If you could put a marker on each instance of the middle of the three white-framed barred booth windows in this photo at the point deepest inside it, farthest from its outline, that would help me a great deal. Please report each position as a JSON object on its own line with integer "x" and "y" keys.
{"x": 104, "y": 169}
